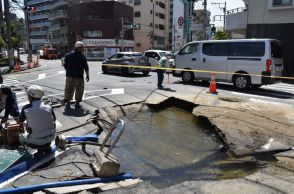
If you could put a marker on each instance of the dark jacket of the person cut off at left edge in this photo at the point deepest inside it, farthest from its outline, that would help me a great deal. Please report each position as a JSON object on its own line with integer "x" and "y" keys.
{"x": 11, "y": 107}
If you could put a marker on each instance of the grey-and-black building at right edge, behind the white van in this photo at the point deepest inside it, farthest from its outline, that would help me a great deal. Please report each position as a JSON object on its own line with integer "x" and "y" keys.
{"x": 273, "y": 19}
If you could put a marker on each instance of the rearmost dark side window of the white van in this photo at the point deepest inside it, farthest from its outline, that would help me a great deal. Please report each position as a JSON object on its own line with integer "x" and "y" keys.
{"x": 247, "y": 49}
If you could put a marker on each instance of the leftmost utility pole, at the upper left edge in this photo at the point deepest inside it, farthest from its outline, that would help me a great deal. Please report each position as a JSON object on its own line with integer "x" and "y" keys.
{"x": 8, "y": 29}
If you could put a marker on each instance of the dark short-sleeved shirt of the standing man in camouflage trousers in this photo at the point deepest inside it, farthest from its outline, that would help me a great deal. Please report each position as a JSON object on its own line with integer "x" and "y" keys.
{"x": 75, "y": 64}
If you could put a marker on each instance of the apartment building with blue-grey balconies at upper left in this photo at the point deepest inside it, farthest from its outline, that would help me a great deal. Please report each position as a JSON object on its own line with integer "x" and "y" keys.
{"x": 38, "y": 22}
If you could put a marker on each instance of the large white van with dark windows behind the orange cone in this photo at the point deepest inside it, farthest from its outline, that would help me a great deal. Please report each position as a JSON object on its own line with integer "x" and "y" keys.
{"x": 244, "y": 62}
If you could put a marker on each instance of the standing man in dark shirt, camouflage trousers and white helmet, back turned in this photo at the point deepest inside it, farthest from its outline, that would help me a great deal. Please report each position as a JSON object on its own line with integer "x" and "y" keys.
{"x": 75, "y": 64}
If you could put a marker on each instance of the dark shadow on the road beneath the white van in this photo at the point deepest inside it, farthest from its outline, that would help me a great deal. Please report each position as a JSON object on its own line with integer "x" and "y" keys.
{"x": 253, "y": 91}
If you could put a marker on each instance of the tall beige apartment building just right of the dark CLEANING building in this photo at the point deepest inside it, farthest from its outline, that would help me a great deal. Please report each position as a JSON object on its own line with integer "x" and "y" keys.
{"x": 153, "y": 17}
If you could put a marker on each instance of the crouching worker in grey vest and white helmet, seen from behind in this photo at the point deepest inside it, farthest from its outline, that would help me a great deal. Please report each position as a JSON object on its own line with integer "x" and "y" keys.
{"x": 40, "y": 129}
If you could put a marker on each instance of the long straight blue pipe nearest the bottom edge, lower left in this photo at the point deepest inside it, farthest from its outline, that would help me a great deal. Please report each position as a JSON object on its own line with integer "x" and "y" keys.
{"x": 33, "y": 188}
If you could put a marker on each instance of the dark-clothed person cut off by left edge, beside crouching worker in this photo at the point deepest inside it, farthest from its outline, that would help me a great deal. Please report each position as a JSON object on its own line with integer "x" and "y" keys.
{"x": 8, "y": 102}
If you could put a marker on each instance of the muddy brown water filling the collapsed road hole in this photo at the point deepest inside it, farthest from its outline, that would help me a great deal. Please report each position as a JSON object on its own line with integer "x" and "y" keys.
{"x": 170, "y": 146}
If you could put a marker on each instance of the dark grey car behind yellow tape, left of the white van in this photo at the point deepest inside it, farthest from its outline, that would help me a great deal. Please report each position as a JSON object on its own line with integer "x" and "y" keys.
{"x": 127, "y": 60}
